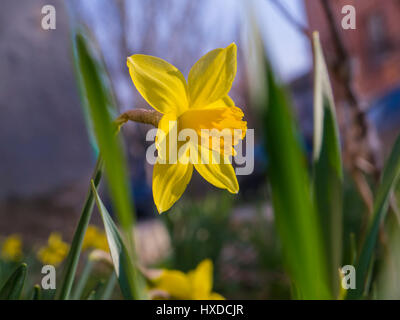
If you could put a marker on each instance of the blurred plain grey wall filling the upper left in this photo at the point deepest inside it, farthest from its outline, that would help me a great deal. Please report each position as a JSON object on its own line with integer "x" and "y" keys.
{"x": 43, "y": 141}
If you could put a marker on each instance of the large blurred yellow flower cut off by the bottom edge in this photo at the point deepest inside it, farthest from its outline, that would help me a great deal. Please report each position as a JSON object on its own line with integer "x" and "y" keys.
{"x": 195, "y": 285}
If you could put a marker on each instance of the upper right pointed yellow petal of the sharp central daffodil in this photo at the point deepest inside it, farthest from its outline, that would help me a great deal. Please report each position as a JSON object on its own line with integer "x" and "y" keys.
{"x": 211, "y": 78}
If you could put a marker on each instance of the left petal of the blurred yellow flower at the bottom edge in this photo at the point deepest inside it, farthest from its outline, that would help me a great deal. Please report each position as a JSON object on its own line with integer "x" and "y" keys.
{"x": 175, "y": 283}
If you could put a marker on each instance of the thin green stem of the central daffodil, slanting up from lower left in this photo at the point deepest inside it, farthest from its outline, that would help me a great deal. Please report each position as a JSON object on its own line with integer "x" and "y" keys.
{"x": 72, "y": 259}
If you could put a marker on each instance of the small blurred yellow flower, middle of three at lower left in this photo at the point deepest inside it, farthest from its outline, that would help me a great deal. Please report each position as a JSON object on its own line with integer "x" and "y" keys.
{"x": 55, "y": 251}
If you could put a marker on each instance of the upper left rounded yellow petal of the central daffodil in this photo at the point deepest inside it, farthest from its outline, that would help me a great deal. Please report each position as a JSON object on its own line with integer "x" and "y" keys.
{"x": 160, "y": 83}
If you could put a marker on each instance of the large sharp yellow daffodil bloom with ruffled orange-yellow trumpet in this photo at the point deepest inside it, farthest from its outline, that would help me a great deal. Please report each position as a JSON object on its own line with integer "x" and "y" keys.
{"x": 201, "y": 103}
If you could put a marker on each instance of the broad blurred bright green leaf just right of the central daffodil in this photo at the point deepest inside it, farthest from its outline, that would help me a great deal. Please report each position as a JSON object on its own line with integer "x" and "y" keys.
{"x": 296, "y": 218}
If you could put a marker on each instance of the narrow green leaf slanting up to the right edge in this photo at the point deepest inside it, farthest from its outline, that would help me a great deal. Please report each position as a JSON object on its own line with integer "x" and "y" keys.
{"x": 390, "y": 177}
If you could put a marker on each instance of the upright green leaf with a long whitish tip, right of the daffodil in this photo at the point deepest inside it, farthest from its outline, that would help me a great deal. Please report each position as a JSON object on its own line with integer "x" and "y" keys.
{"x": 327, "y": 166}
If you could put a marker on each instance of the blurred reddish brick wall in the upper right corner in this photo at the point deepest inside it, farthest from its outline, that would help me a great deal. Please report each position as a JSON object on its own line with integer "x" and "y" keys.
{"x": 374, "y": 46}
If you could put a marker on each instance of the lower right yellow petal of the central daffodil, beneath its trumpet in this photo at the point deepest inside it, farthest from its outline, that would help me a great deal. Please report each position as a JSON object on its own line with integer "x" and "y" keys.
{"x": 221, "y": 175}
